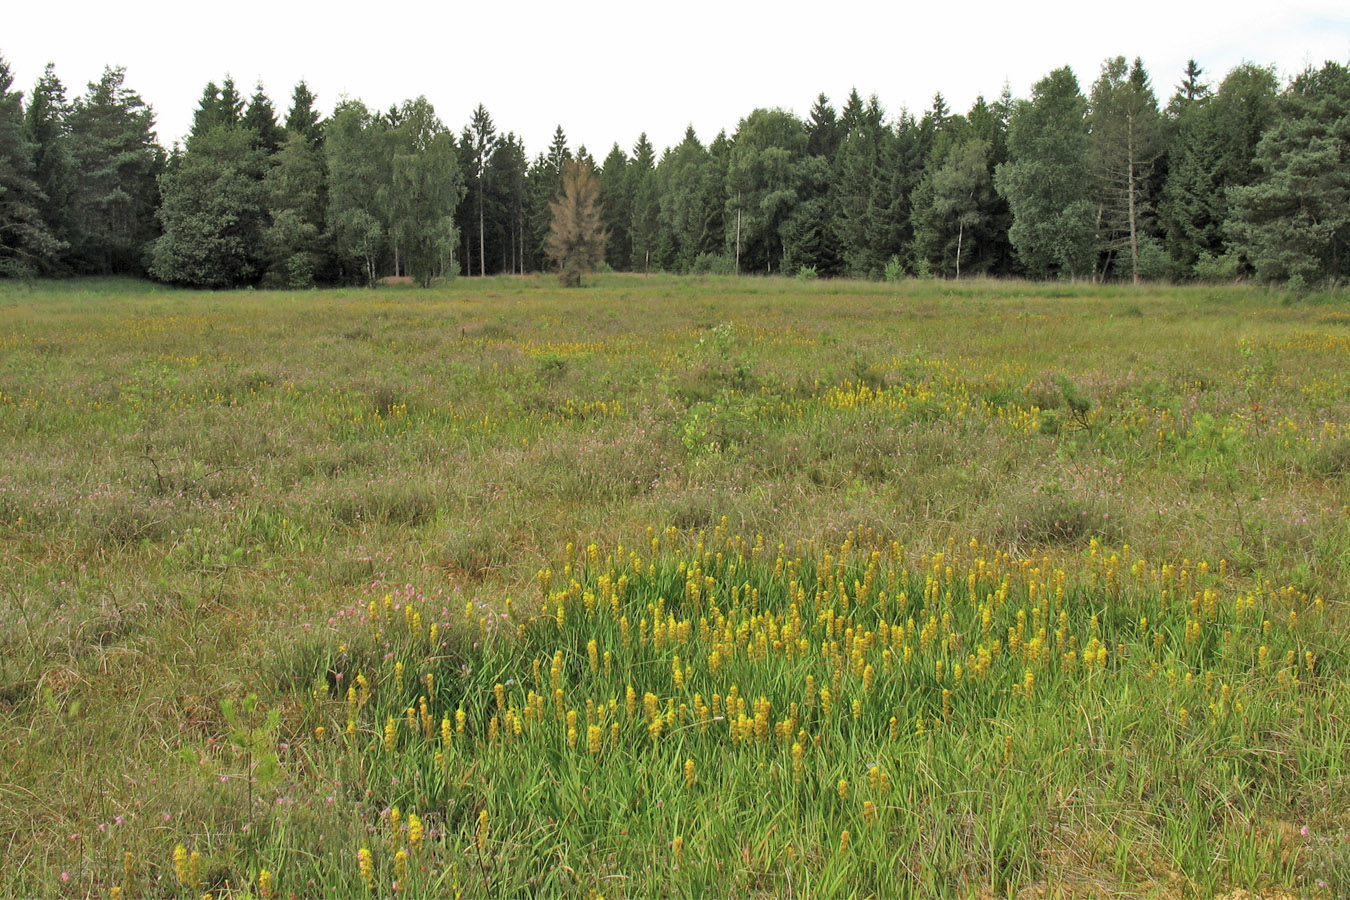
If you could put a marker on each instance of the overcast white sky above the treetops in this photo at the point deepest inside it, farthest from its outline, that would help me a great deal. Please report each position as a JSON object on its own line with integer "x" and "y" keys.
{"x": 608, "y": 69}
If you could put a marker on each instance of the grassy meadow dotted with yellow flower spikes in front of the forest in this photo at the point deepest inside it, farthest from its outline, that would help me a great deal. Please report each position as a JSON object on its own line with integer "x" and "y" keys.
{"x": 674, "y": 588}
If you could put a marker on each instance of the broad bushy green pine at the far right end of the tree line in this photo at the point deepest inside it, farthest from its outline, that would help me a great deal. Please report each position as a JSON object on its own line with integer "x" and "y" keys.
{"x": 1295, "y": 221}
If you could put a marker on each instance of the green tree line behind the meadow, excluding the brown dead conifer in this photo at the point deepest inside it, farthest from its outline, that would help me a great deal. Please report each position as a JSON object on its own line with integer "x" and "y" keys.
{"x": 1225, "y": 180}
